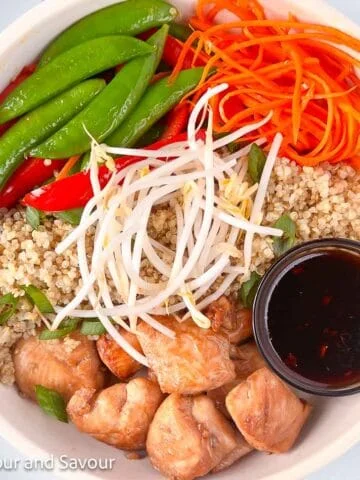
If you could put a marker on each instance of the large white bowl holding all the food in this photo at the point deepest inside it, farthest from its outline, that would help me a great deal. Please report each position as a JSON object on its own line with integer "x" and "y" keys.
{"x": 335, "y": 424}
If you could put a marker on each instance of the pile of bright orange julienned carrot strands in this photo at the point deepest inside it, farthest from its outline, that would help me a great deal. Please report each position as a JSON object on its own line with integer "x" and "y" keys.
{"x": 298, "y": 70}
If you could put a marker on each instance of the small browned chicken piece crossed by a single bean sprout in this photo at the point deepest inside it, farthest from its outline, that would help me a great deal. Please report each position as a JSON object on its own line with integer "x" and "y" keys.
{"x": 121, "y": 364}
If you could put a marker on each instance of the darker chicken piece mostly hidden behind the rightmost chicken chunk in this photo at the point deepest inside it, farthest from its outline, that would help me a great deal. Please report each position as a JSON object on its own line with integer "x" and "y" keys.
{"x": 247, "y": 359}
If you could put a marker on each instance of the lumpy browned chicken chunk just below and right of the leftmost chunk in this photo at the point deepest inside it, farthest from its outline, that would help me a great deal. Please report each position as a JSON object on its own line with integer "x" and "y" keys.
{"x": 119, "y": 415}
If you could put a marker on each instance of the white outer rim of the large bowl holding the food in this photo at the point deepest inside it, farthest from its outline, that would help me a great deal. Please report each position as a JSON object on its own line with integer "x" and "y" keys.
{"x": 20, "y": 28}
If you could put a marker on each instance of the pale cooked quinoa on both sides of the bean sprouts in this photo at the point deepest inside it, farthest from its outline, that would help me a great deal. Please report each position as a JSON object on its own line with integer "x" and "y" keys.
{"x": 323, "y": 201}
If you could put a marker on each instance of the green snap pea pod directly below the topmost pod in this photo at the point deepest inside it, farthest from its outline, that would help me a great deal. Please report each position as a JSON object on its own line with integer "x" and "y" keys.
{"x": 70, "y": 68}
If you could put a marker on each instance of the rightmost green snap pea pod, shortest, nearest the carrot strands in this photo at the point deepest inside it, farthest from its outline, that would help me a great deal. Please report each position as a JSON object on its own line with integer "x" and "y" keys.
{"x": 159, "y": 98}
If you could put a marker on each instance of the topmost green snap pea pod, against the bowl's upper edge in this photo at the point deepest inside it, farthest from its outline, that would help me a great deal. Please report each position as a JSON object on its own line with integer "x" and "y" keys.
{"x": 125, "y": 18}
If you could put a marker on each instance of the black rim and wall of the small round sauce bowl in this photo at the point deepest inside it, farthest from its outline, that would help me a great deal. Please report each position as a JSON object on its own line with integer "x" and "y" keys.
{"x": 262, "y": 300}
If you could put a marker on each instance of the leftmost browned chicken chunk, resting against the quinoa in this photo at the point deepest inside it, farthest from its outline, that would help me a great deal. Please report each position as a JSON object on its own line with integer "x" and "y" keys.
{"x": 62, "y": 365}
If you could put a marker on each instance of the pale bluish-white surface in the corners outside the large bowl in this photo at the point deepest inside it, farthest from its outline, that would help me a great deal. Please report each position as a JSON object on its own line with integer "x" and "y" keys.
{"x": 346, "y": 468}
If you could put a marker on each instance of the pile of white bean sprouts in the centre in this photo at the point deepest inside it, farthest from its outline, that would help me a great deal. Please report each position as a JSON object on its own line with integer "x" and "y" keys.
{"x": 213, "y": 204}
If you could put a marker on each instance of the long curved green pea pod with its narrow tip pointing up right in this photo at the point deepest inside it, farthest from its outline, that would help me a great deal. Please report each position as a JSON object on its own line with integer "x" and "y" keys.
{"x": 109, "y": 109}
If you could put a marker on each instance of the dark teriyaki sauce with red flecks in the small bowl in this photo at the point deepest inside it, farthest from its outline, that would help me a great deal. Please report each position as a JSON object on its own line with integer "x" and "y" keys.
{"x": 313, "y": 318}
